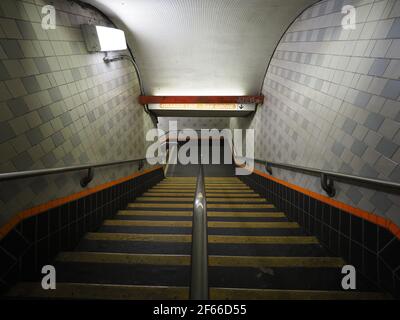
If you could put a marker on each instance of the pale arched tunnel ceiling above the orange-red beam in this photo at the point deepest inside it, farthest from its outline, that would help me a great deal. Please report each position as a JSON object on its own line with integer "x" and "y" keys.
{"x": 202, "y": 47}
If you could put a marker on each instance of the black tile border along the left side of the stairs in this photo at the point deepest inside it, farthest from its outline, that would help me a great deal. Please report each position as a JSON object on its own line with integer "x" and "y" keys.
{"x": 35, "y": 241}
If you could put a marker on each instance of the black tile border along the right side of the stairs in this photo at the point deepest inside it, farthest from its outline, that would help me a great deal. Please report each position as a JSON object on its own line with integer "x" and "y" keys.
{"x": 370, "y": 248}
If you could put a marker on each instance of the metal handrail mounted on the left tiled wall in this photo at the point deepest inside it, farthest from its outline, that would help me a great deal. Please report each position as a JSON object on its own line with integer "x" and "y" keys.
{"x": 85, "y": 180}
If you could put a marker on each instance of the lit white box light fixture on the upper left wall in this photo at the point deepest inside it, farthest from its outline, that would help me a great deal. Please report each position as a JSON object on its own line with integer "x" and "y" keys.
{"x": 99, "y": 38}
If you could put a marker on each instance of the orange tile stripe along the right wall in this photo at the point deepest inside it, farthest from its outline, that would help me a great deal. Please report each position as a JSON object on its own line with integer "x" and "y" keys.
{"x": 371, "y": 217}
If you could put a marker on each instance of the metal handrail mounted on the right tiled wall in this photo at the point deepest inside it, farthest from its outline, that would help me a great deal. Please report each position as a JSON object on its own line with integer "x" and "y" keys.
{"x": 328, "y": 177}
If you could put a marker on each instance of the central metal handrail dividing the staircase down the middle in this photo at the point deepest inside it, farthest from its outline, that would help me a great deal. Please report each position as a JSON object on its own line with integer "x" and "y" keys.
{"x": 199, "y": 263}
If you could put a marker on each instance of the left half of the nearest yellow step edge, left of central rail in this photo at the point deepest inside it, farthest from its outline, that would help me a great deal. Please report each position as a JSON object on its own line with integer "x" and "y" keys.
{"x": 100, "y": 291}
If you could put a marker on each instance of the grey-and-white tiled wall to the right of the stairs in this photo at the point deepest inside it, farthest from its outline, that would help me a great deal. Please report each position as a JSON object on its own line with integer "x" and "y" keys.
{"x": 333, "y": 100}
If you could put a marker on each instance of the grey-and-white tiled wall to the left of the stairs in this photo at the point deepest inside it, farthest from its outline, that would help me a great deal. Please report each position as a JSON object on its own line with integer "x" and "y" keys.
{"x": 60, "y": 105}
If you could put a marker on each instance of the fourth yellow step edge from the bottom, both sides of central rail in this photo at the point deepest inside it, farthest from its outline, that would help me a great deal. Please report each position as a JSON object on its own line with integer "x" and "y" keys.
{"x": 211, "y": 224}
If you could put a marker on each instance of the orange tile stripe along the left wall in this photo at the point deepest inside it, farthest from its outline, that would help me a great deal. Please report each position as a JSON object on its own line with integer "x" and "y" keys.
{"x": 4, "y": 230}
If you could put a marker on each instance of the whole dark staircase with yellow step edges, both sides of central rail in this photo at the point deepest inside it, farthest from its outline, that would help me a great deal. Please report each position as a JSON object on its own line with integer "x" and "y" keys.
{"x": 144, "y": 252}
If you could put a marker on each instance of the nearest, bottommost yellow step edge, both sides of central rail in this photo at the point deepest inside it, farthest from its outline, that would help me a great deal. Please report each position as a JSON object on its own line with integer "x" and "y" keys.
{"x": 138, "y": 292}
